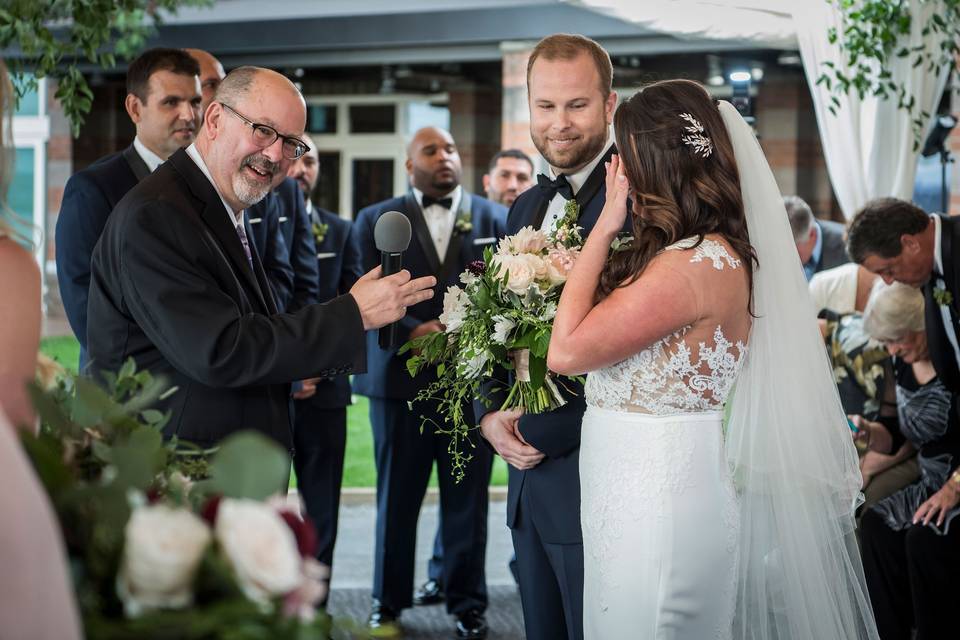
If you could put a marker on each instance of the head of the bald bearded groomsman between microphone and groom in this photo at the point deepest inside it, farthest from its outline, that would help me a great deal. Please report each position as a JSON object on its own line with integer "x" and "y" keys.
{"x": 433, "y": 162}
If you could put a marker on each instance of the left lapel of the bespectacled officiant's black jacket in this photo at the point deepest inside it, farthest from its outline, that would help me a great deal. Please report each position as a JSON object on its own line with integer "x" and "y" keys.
{"x": 215, "y": 217}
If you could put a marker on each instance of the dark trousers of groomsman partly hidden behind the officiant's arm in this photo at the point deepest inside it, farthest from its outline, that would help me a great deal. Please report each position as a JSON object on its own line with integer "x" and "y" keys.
{"x": 320, "y": 438}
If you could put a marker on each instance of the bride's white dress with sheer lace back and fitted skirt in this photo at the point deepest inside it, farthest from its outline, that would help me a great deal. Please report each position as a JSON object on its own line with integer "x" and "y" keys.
{"x": 658, "y": 507}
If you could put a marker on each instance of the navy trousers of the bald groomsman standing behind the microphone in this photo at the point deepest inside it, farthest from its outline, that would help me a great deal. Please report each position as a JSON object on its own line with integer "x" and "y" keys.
{"x": 404, "y": 459}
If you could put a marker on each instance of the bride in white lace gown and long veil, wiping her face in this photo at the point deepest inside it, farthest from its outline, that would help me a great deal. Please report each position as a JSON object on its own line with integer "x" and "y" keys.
{"x": 693, "y": 530}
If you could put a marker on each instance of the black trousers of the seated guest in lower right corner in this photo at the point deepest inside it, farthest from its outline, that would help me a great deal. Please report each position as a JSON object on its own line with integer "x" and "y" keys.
{"x": 912, "y": 577}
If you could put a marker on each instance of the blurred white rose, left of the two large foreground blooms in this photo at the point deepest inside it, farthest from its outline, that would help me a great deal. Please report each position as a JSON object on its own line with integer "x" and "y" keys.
{"x": 162, "y": 549}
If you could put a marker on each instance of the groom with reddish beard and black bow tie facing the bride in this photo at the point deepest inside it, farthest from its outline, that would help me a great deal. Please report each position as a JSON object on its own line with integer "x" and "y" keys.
{"x": 569, "y": 87}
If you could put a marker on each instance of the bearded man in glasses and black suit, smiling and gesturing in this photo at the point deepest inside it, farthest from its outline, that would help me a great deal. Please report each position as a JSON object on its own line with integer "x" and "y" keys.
{"x": 176, "y": 287}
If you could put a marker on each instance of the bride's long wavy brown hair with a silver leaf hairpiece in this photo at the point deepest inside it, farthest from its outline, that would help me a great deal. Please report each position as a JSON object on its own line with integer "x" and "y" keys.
{"x": 676, "y": 192}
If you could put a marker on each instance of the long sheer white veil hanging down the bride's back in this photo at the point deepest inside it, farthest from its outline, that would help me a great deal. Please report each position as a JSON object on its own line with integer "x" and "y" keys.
{"x": 788, "y": 444}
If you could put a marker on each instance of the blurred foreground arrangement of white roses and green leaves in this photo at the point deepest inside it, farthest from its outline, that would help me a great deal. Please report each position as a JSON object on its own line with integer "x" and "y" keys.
{"x": 166, "y": 540}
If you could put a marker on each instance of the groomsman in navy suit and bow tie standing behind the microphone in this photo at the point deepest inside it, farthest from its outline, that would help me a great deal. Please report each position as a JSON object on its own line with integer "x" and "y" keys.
{"x": 451, "y": 228}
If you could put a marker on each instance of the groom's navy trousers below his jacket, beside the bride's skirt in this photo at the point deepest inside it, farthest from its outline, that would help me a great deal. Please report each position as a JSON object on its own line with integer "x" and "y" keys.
{"x": 551, "y": 581}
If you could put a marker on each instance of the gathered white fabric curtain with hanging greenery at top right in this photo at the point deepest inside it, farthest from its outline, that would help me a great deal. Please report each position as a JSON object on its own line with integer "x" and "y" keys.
{"x": 868, "y": 144}
